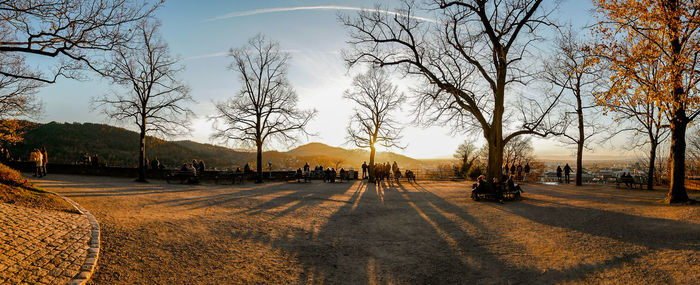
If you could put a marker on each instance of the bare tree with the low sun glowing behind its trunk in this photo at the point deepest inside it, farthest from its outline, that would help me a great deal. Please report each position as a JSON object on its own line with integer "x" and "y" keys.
{"x": 372, "y": 123}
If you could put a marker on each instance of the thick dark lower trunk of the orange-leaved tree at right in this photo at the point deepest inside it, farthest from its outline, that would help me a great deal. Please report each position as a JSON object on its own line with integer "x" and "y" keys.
{"x": 677, "y": 192}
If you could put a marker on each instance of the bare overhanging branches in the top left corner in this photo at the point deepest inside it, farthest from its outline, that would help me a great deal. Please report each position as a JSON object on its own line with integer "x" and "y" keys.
{"x": 75, "y": 32}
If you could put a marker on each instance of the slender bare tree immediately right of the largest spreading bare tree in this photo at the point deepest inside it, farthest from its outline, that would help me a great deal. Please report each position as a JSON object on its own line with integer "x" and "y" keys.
{"x": 571, "y": 69}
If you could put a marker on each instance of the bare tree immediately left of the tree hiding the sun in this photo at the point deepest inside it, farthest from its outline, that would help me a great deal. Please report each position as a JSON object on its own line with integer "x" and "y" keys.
{"x": 265, "y": 108}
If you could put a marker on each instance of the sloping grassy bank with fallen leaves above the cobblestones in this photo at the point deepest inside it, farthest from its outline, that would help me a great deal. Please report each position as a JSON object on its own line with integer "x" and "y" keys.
{"x": 18, "y": 190}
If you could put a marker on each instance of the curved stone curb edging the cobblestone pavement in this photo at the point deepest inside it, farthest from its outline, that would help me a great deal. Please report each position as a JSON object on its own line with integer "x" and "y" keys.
{"x": 93, "y": 251}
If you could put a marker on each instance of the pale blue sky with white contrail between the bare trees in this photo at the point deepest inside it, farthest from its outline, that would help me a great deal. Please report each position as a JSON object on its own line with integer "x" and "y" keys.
{"x": 201, "y": 33}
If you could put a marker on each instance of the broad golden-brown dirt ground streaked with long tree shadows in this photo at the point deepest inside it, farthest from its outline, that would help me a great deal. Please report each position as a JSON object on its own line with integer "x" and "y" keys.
{"x": 355, "y": 233}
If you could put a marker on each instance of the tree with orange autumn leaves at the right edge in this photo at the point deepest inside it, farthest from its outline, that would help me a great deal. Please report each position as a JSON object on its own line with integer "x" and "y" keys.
{"x": 636, "y": 35}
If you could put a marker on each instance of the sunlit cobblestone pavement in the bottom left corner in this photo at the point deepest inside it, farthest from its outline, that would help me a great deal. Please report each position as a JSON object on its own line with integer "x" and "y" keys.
{"x": 41, "y": 247}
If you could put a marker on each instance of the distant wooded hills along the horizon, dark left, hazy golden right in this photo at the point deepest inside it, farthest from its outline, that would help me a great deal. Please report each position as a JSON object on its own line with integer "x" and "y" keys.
{"x": 67, "y": 142}
